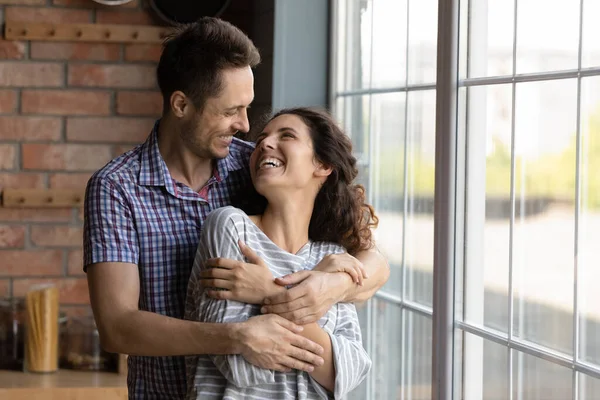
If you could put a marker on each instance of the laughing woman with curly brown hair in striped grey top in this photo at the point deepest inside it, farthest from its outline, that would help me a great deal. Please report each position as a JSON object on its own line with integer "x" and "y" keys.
{"x": 302, "y": 159}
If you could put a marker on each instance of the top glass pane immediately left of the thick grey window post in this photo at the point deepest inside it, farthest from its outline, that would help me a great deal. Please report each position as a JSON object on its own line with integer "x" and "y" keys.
{"x": 422, "y": 41}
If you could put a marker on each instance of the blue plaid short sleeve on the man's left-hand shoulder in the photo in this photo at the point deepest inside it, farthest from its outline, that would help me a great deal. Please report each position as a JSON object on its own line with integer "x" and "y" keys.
{"x": 109, "y": 233}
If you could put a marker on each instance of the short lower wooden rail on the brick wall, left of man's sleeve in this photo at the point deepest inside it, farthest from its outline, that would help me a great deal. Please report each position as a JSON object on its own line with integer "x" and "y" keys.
{"x": 42, "y": 198}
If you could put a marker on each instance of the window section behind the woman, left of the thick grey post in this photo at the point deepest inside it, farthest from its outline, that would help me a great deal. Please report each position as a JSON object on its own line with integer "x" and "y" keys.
{"x": 384, "y": 95}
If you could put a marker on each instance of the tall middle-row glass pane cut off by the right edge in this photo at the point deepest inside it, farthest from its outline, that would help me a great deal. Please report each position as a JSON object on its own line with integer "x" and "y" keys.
{"x": 589, "y": 222}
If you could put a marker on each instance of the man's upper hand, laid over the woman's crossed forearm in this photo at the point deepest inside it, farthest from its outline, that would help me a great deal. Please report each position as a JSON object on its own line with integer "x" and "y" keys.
{"x": 314, "y": 294}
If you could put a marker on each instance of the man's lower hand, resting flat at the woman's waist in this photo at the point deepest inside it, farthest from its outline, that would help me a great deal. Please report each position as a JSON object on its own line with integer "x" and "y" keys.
{"x": 272, "y": 342}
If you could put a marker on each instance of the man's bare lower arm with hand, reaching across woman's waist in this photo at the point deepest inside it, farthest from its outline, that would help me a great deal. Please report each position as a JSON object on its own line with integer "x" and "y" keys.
{"x": 123, "y": 328}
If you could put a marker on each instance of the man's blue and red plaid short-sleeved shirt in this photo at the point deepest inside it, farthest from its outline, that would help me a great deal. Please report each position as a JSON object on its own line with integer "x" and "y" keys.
{"x": 135, "y": 212}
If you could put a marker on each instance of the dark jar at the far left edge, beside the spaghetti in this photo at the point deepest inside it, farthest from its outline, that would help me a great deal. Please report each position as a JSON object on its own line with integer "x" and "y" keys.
{"x": 12, "y": 336}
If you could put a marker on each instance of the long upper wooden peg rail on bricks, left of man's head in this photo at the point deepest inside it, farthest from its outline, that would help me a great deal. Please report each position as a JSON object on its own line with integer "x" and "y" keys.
{"x": 110, "y": 33}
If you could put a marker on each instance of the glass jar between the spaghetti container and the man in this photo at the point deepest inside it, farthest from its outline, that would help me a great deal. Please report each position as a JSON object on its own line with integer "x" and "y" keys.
{"x": 80, "y": 346}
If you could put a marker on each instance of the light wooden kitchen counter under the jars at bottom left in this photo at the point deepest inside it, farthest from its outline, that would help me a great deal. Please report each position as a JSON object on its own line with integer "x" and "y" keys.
{"x": 62, "y": 385}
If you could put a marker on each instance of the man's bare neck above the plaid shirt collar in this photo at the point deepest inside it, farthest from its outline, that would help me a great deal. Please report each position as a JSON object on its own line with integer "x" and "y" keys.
{"x": 183, "y": 165}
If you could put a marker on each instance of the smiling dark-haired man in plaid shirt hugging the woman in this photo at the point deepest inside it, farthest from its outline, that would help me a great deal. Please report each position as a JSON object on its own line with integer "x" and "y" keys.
{"x": 143, "y": 215}
